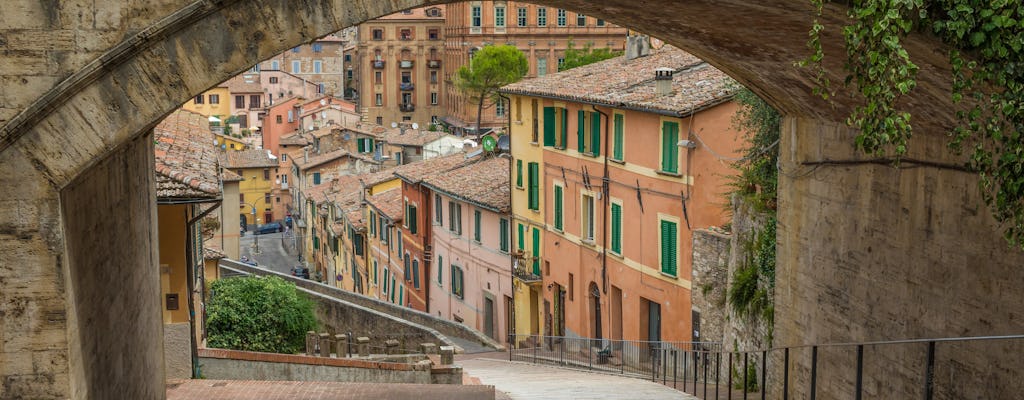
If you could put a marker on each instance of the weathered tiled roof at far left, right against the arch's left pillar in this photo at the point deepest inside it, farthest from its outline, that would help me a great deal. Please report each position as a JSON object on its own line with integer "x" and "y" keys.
{"x": 186, "y": 158}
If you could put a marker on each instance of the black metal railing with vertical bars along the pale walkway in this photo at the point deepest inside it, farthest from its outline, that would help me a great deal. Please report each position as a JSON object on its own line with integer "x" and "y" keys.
{"x": 923, "y": 369}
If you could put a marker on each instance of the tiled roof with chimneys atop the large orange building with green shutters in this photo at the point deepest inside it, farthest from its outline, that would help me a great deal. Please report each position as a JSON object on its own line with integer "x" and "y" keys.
{"x": 630, "y": 83}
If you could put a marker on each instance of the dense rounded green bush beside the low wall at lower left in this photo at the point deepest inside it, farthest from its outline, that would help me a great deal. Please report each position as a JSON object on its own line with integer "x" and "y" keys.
{"x": 266, "y": 315}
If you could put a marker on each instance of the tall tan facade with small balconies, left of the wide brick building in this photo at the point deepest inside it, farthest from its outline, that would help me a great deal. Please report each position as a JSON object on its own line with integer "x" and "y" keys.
{"x": 403, "y": 74}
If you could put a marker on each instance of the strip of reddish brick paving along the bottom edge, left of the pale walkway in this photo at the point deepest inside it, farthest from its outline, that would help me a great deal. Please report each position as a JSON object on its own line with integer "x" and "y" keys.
{"x": 283, "y": 390}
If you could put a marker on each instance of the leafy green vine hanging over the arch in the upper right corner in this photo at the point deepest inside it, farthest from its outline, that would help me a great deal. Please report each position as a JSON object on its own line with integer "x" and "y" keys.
{"x": 988, "y": 61}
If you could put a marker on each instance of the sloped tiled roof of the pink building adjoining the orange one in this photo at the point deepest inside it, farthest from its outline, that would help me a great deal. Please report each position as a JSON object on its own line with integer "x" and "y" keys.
{"x": 485, "y": 183}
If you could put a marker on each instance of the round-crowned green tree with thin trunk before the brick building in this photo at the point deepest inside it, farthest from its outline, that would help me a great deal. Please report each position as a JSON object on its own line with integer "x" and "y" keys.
{"x": 490, "y": 69}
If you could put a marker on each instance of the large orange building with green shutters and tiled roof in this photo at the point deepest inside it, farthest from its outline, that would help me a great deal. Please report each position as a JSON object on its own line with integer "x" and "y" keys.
{"x": 635, "y": 156}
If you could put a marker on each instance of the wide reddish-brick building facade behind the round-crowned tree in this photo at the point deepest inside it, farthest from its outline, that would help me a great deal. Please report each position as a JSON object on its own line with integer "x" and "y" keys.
{"x": 543, "y": 34}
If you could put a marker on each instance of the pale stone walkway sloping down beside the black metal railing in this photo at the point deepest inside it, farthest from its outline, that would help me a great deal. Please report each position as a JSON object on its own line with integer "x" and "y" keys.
{"x": 526, "y": 382}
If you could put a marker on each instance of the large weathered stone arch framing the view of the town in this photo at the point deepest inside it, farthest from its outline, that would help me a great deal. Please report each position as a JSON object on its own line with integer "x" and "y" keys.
{"x": 104, "y": 97}
